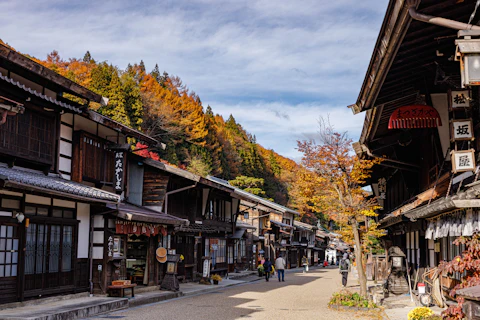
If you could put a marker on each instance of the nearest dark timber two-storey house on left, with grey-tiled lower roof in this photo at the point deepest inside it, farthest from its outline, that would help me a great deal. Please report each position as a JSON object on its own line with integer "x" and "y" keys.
{"x": 44, "y": 216}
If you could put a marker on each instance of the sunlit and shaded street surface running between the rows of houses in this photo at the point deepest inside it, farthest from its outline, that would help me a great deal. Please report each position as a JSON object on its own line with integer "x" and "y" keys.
{"x": 301, "y": 296}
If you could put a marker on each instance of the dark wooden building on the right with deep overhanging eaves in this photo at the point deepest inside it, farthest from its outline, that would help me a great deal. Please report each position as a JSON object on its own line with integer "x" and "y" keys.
{"x": 421, "y": 118}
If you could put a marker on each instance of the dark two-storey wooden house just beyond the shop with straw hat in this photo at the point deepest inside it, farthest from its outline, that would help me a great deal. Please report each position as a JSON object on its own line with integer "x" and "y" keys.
{"x": 209, "y": 207}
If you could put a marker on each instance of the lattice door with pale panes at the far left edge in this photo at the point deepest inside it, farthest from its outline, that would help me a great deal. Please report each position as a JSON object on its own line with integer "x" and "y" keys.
{"x": 9, "y": 257}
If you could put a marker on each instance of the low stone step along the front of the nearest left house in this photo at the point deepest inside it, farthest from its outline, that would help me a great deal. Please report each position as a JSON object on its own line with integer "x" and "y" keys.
{"x": 66, "y": 309}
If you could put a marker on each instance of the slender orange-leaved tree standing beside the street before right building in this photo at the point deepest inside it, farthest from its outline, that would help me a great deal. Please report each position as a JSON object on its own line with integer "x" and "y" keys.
{"x": 341, "y": 175}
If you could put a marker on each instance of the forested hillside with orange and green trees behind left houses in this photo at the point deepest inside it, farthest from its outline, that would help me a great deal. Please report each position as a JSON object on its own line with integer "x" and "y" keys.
{"x": 162, "y": 106}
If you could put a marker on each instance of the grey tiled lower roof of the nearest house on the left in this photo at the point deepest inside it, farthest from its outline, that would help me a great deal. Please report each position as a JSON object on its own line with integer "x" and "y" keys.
{"x": 24, "y": 179}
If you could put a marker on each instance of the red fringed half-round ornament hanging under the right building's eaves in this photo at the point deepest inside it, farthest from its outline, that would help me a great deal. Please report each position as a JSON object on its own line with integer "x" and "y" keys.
{"x": 416, "y": 116}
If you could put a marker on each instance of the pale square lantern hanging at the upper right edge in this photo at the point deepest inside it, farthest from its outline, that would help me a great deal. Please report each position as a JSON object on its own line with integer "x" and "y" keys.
{"x": 468, "y": 53}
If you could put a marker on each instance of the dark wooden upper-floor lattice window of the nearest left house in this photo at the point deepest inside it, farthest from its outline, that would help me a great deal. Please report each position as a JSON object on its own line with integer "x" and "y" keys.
{"x": 30, "y": 135}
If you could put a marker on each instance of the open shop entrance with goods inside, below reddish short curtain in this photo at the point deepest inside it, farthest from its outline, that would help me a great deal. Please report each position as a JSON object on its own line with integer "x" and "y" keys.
{"x": 137, "y": 258}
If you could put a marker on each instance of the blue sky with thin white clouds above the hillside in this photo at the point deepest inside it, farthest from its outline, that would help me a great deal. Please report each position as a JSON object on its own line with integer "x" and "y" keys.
{"x": 277, "y": 66}
